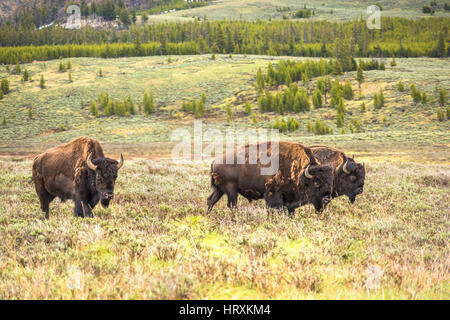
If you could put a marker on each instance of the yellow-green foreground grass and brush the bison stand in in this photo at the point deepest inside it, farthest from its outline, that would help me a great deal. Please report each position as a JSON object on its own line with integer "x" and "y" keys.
{"x": 156, "y": 241}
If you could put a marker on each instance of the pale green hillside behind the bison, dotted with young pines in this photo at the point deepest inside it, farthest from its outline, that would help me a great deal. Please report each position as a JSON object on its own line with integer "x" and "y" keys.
{"x": 61, "y": 111}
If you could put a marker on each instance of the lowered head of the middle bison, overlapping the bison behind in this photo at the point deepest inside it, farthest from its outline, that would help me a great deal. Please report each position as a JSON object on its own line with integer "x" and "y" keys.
{"x": 318, "y": 183}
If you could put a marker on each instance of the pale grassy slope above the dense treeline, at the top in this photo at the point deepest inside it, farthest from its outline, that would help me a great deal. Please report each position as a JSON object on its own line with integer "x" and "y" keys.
{"x": 266, "y": 9}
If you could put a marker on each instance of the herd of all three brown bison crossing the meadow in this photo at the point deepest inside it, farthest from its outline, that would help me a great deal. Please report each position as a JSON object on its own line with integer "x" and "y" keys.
{"x": 79, "y": 170}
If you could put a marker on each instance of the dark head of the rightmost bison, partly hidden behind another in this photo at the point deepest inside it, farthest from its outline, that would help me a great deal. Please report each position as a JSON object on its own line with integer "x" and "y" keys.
{"x": 350, "y": 179}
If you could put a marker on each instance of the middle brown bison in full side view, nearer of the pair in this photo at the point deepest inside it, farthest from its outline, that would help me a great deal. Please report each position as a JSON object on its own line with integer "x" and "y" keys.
{"x": 299, "y": 179}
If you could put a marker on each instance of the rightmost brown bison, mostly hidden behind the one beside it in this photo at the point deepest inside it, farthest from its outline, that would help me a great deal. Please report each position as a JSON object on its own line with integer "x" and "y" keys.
{"x": 349, "y": 175}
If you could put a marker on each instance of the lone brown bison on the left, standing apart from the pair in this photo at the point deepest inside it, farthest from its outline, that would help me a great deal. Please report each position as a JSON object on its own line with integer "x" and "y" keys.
{"x": 77, "y": 170}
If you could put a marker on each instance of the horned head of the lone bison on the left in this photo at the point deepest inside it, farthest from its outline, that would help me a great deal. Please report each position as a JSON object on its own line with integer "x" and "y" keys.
{"x": 105, "y": 171}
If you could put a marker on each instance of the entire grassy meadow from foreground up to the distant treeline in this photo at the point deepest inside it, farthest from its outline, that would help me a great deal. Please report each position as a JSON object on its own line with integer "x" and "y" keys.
{"x": 155, "y": 241}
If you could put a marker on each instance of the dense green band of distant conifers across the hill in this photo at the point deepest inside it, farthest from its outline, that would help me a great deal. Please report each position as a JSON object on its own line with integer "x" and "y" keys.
{"x": 398, "y": 37}
